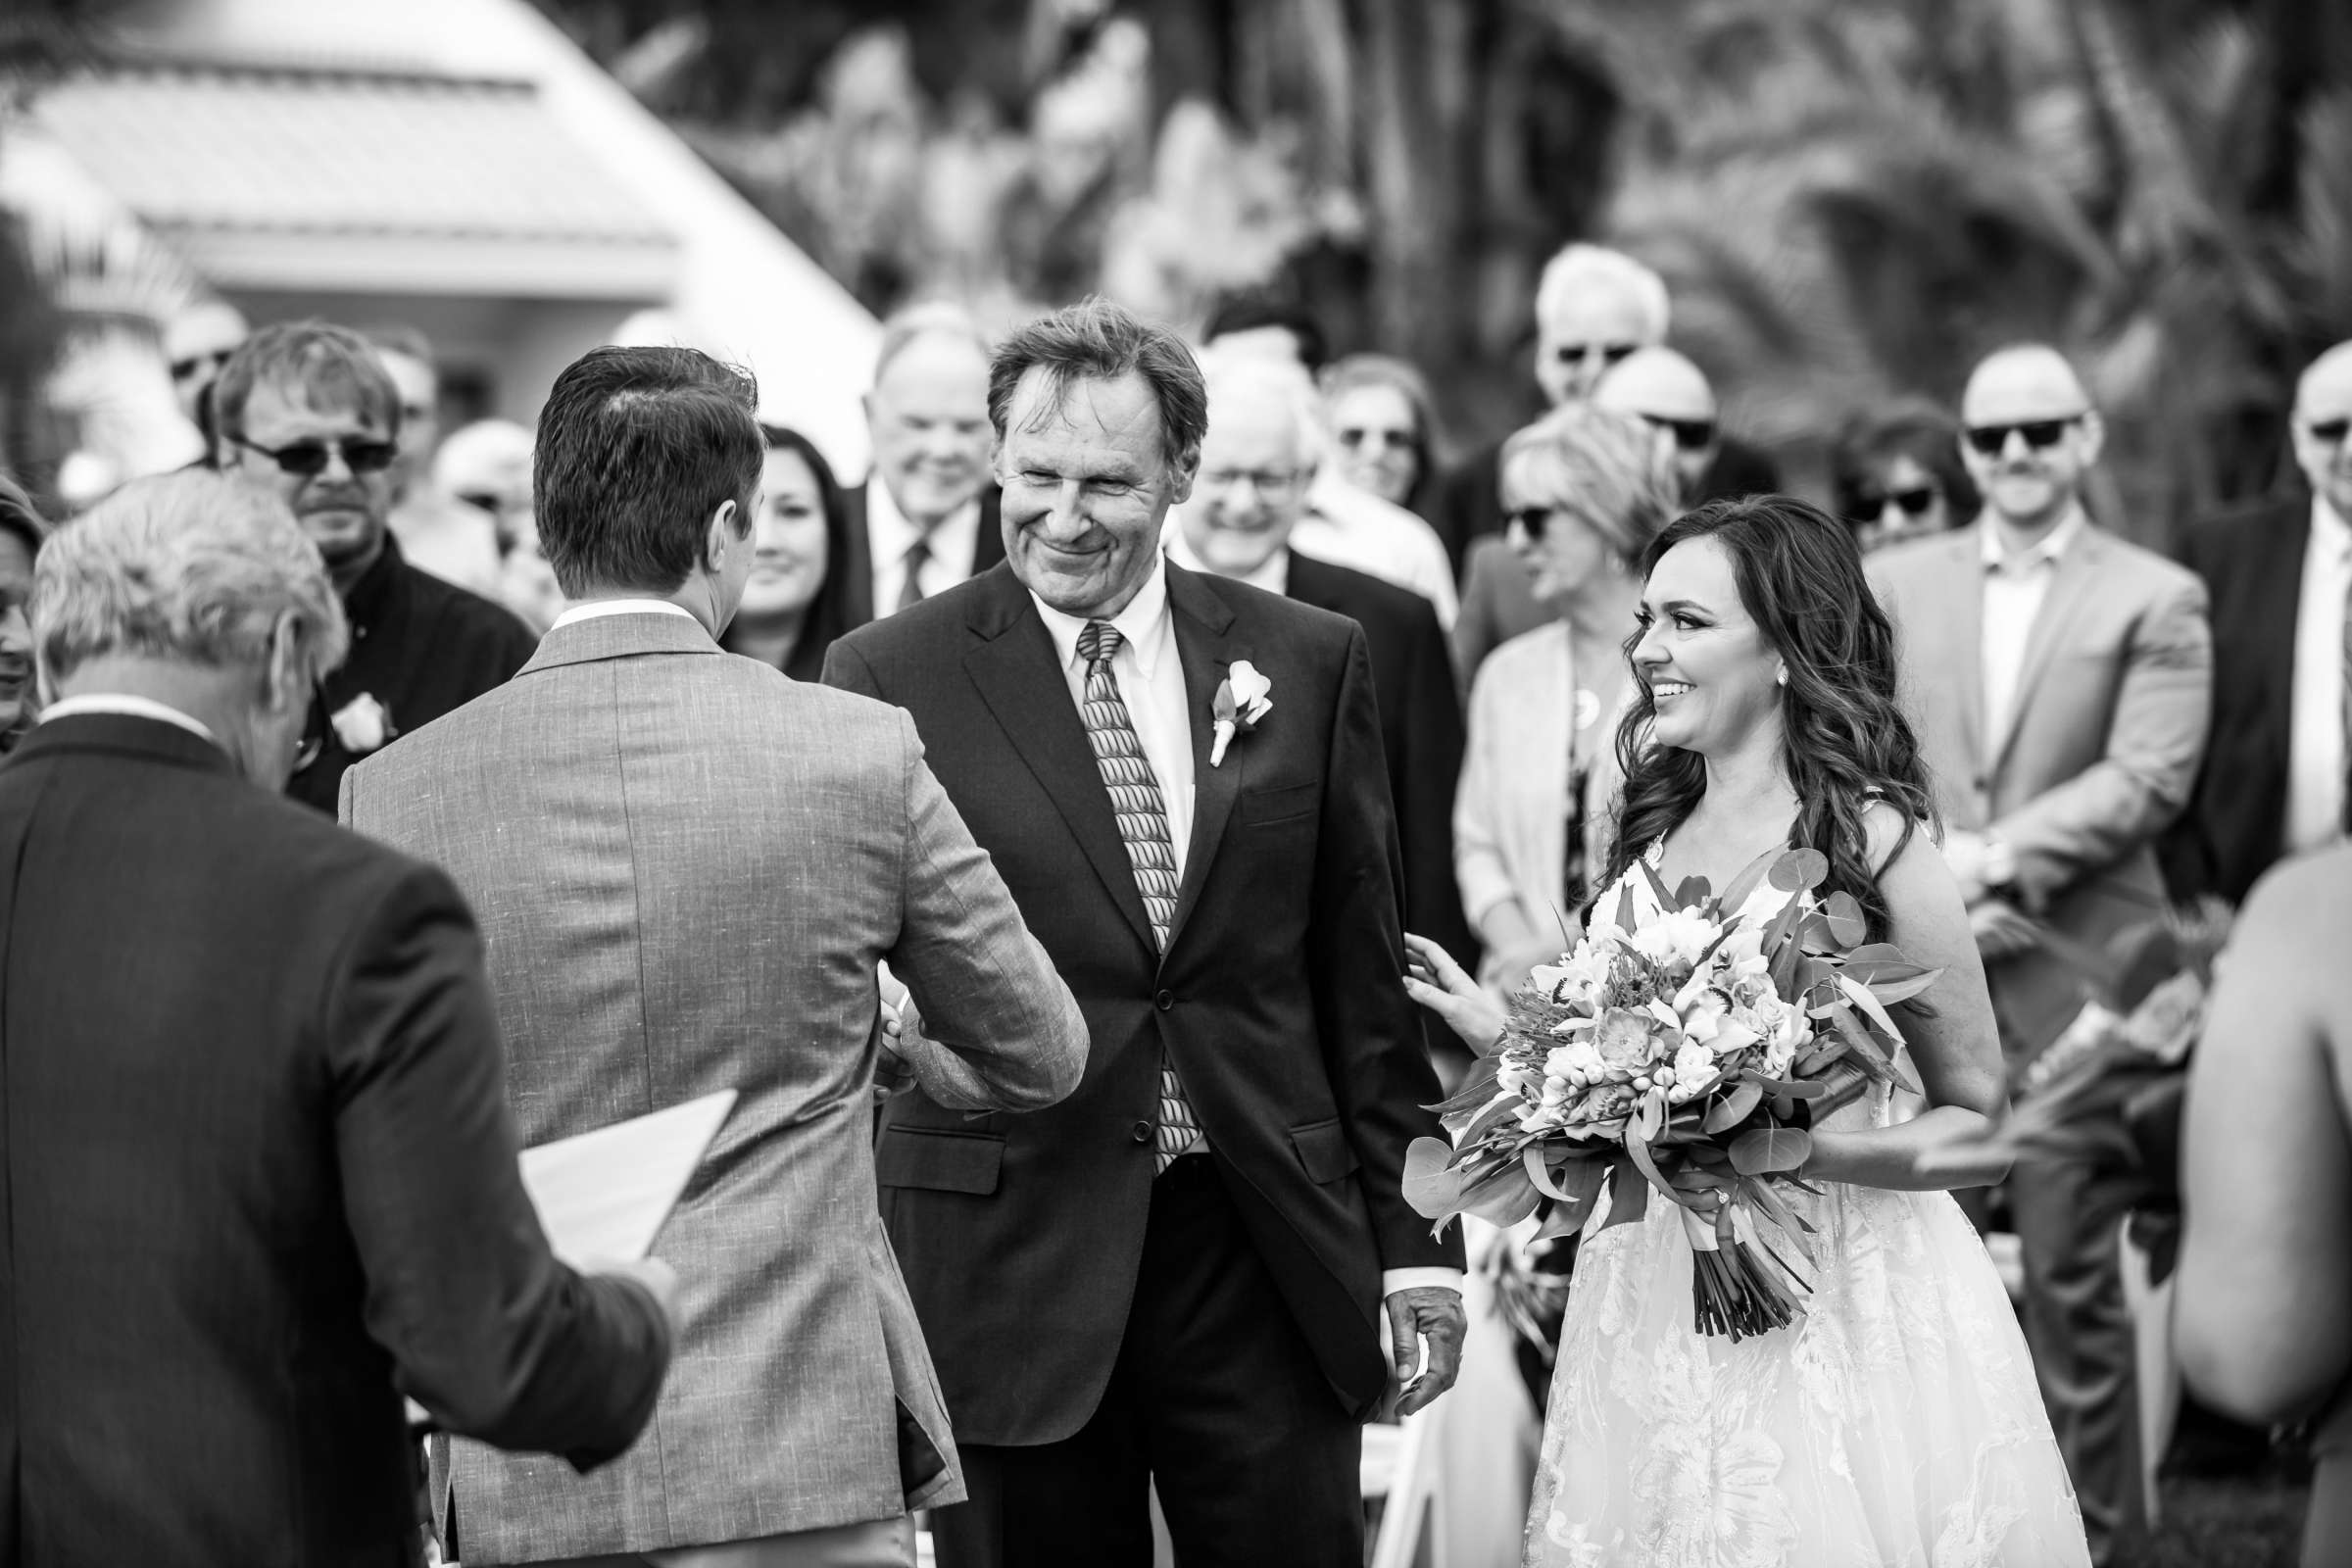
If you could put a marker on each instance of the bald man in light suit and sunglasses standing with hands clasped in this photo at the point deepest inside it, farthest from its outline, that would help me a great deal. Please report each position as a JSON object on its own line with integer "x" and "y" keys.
{"x": 2062, "y": 685}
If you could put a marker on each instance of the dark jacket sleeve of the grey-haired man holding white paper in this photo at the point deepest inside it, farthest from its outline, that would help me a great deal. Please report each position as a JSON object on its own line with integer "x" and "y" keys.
{"x": 483, "y": 1325}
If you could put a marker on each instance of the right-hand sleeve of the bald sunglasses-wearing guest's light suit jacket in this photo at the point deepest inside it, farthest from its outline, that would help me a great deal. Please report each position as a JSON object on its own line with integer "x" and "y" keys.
{"x": 2156, "y": 742}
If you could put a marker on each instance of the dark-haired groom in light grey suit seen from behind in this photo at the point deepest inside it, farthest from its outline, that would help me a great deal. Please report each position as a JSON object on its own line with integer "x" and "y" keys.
{"x": 686, "y": 869}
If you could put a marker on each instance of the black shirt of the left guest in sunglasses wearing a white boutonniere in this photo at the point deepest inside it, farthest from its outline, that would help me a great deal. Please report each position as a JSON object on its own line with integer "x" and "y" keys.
{"x": 422, "y": 648}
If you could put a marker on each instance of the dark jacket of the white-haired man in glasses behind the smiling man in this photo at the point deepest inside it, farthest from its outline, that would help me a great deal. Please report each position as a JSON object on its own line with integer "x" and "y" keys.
{"x": 1422, "y": 732}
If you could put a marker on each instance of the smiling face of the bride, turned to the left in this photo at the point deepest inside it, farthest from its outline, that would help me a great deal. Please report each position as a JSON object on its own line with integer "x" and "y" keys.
{"x": 1711, "y": 671}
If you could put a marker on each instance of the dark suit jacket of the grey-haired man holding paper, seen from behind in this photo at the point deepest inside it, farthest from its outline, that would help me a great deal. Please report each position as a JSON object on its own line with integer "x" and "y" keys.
{"x": 260, "y": 1179}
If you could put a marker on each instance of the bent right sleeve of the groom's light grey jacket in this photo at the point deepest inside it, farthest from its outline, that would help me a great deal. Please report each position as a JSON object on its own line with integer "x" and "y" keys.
{"x": 1001, "y": 1031}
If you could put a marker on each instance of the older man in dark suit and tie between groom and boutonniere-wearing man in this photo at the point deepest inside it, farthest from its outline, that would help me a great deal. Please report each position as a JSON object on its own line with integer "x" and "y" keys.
{"x": 928, "y": 518}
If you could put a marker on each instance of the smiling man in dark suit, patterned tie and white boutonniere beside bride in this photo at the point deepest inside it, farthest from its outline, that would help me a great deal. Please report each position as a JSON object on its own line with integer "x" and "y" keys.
{"x": 1187, "y": 1259}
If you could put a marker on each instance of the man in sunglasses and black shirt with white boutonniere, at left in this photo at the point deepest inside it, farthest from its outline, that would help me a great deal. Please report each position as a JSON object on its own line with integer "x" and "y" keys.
{"x": 309, "y": 415}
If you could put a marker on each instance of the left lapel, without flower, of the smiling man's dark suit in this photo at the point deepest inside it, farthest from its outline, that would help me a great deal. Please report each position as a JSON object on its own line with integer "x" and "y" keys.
{"x": 1020, "y": 678}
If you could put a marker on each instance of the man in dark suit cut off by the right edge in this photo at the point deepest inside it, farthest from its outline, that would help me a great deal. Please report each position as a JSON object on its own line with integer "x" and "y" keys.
{"x": 2278, "y": 577}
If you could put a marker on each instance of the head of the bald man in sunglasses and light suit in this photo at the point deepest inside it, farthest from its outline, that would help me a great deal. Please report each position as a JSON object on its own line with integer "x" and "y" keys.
{"x": 2031, "y": 436}
